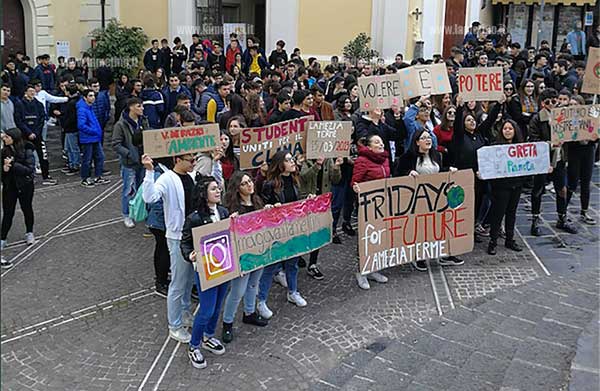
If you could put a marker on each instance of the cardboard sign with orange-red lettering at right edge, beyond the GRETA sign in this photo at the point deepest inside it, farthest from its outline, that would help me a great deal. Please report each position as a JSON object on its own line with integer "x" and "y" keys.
{"x": 575, "y": 123}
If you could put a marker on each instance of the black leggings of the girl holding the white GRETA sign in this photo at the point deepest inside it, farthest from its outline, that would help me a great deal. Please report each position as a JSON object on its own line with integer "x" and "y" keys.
{"x": 504, "y": 205}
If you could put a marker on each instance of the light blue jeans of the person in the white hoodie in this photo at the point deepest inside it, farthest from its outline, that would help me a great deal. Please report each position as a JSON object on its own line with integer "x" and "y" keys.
{"x": 180, "y": 289}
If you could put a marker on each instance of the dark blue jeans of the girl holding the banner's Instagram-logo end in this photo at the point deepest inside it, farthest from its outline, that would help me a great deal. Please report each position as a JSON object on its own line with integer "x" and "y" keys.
{"x": 207, "y": 316}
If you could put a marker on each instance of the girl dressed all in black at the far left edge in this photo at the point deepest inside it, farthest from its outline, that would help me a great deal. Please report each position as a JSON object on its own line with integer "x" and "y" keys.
{"x": 17, "y": 184}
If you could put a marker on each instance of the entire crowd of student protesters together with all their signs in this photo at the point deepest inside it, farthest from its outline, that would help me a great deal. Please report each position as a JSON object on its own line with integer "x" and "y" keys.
{"x": 243, "y": 167}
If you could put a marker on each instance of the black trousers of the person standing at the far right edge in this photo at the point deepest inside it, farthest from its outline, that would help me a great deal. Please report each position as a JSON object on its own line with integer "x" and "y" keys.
{"x": 579, "y": 170}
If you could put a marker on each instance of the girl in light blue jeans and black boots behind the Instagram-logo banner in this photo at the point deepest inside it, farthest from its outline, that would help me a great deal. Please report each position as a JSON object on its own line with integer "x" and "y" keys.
{"x": 241, "y": 198}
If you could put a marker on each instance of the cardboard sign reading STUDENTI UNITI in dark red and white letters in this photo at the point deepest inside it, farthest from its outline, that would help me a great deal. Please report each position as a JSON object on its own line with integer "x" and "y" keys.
{"x": 258, "y": 145}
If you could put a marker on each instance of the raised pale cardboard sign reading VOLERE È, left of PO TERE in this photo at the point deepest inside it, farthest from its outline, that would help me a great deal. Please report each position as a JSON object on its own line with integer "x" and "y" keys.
{"x": 384, "y": 91}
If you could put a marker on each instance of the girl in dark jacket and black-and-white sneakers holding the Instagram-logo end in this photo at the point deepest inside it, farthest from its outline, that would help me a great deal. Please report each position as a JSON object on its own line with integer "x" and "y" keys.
{"x": 206, "y": 198}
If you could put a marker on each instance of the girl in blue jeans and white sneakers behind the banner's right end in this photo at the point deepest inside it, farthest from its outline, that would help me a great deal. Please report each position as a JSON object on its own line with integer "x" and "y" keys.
{"x": 281, "y": 186}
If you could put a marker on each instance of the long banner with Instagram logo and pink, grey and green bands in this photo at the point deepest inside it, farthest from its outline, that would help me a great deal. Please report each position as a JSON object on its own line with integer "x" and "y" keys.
{"x": 238, "y": 245}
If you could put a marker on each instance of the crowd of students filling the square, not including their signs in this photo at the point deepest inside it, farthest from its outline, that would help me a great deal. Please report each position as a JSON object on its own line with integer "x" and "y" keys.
{"x": 244, "y": 88}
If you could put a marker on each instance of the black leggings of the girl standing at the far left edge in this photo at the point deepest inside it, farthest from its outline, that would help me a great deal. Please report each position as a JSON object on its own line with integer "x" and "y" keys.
{"x": 10, "y": 195}
